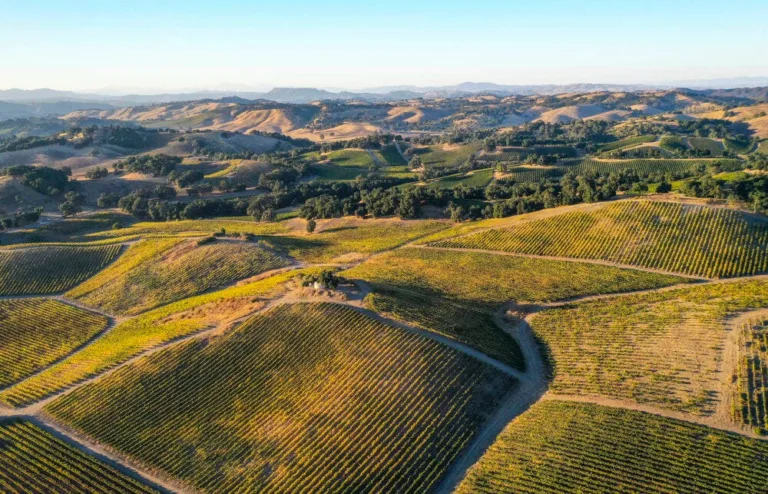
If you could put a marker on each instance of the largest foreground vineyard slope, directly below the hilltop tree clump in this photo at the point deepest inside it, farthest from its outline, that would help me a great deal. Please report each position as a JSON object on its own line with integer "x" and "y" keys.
{"x": 289, "y": 401}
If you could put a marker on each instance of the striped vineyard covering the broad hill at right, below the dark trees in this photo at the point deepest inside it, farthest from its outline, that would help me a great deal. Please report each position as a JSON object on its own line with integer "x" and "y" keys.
{"x": 688, "y": 239}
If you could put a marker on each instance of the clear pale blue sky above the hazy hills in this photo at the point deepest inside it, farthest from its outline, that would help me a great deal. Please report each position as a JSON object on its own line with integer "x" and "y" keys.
{"x": 165, "y": 45}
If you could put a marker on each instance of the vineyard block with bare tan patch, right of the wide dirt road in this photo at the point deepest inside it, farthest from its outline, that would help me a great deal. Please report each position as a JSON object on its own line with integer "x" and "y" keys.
{"x": 662, "y": 348}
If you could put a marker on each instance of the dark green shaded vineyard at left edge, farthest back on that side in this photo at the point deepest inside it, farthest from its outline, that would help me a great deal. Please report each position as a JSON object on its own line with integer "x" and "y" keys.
{"x": 44, "y": 270}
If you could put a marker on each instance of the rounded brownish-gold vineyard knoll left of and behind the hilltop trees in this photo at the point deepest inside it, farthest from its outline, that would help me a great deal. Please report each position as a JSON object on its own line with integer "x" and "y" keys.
{"x": 184, "y": 269}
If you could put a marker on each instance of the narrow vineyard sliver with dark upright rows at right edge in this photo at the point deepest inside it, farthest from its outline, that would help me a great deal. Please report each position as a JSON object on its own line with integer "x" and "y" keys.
{"x": 750, "y": 400}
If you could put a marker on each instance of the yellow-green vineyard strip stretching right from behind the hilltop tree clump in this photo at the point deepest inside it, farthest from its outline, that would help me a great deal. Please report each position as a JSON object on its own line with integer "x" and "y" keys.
{"x": 489, "y": 280}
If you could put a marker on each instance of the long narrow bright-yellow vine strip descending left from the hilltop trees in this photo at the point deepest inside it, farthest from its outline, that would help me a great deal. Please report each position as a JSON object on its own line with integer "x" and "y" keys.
{"x": 153, "y": 328}
